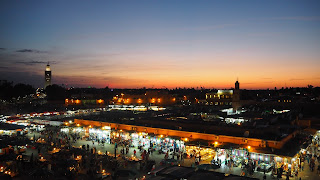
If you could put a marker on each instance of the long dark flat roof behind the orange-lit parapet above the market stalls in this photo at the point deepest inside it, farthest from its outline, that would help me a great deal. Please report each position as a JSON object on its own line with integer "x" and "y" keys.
{"x": 270, "y": 132}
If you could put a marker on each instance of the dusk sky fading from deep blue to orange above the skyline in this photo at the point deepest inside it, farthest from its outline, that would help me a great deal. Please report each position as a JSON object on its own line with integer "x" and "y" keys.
{"x": 174, "y": 43}
